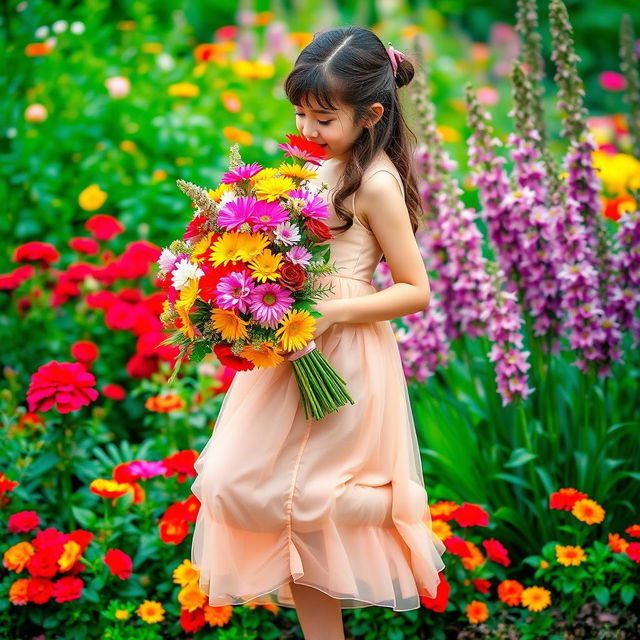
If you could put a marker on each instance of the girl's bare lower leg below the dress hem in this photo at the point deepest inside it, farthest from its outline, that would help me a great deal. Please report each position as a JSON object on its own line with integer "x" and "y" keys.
{"x": 320, "y": 615}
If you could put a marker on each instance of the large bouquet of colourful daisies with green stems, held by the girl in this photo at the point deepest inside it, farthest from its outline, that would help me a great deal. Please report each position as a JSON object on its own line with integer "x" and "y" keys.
{"x": 243, "y": 280}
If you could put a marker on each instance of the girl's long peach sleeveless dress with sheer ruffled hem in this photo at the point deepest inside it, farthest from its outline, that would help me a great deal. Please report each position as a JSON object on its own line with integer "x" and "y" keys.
{"x": 338, "y": 504}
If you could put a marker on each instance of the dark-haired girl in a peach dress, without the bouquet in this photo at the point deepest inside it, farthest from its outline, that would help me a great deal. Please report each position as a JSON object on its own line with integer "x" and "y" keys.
{"x": 332, "y": 514}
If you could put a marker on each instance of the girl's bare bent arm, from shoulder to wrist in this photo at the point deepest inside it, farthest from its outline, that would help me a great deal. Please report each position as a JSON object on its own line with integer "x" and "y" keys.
{"x": 386, "y": 212}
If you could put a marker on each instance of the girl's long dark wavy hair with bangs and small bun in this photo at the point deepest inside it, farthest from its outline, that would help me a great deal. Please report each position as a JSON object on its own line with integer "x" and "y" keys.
{"x": 351, "y": 64}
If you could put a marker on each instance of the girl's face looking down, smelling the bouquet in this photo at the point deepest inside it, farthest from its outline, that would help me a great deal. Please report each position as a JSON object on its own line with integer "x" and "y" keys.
{"x": 332, "y": 129}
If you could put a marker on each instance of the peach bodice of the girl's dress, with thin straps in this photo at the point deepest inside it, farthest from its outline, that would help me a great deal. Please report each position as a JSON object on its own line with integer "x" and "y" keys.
{"x": 355, "y": 252}
